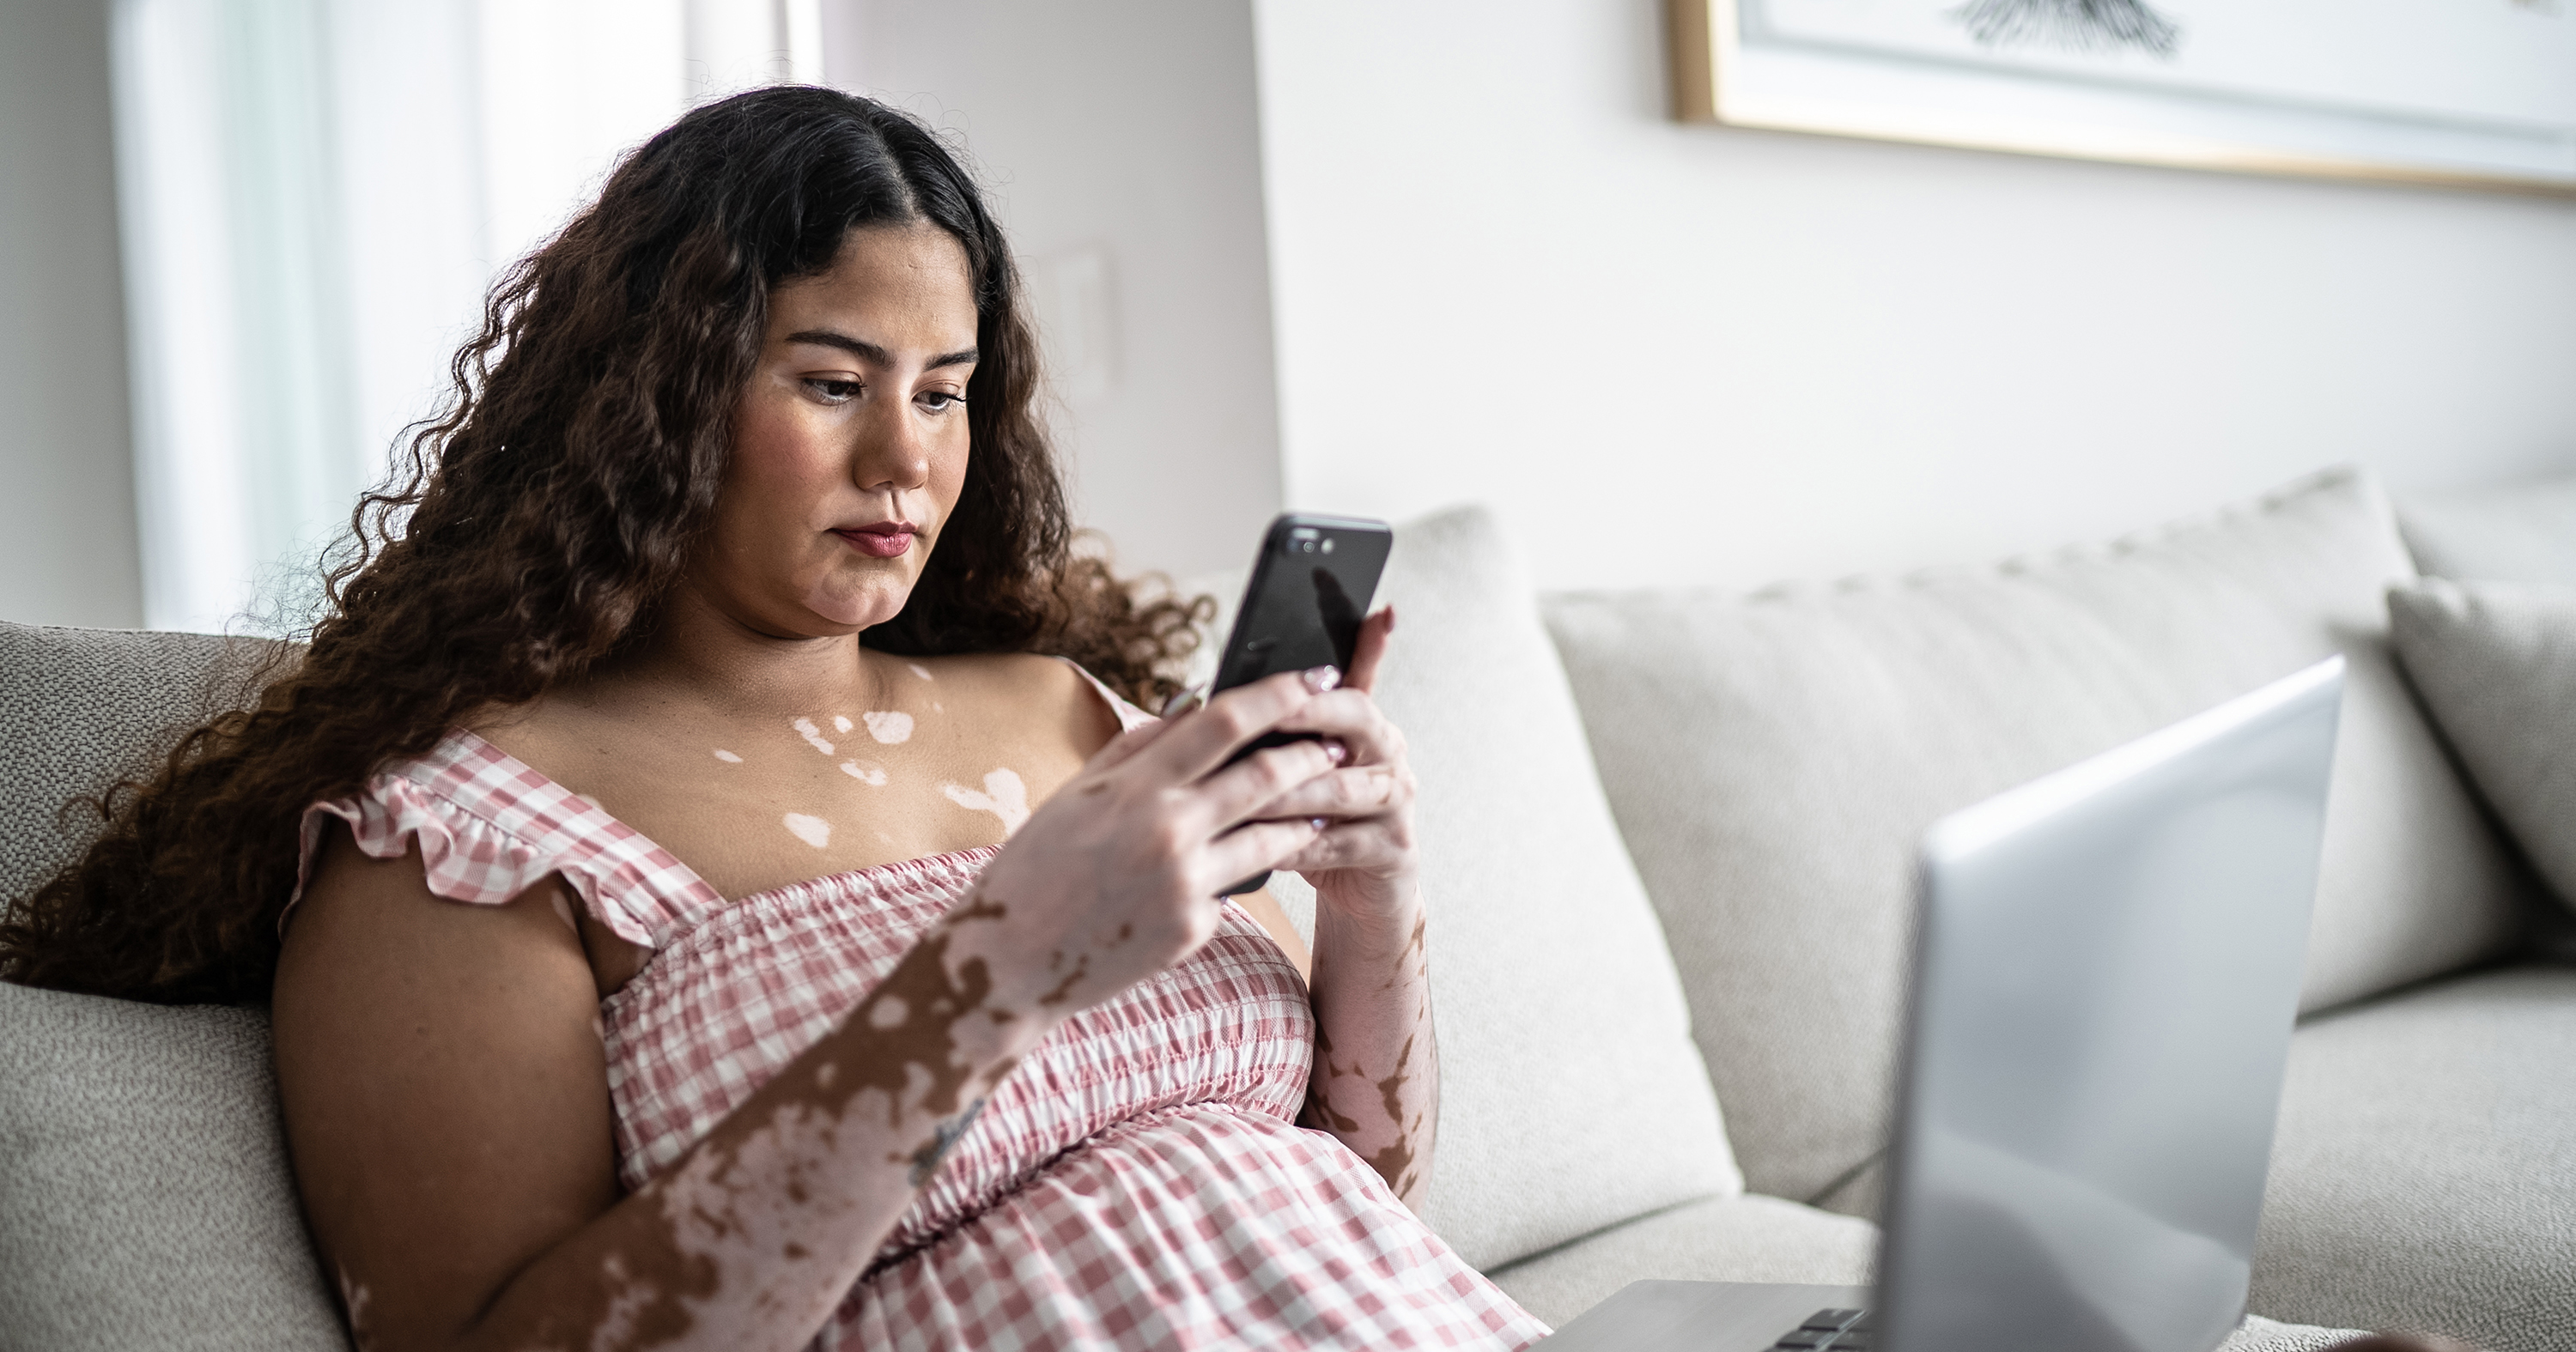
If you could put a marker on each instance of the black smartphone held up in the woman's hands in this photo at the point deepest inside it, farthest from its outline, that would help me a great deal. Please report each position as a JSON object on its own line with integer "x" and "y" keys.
{"x": 1310, "y": 591}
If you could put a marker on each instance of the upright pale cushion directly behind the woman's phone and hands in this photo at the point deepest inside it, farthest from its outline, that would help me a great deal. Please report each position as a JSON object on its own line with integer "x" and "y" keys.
{"x": 1570, "y": 1093}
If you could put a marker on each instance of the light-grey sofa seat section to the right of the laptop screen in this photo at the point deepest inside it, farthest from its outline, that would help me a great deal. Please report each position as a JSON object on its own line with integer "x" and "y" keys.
{"x": 2423, "y": 1173}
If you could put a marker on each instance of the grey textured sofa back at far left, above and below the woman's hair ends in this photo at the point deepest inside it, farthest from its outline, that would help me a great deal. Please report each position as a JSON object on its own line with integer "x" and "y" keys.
{"x": 143, "y": 1183}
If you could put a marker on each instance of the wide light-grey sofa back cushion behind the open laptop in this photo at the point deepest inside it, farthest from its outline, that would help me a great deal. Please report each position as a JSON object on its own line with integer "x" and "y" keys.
{"x": 1774, "y": 761}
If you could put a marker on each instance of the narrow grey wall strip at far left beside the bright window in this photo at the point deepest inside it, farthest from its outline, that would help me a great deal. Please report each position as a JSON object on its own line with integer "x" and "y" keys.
{"x": 66, "y": 473}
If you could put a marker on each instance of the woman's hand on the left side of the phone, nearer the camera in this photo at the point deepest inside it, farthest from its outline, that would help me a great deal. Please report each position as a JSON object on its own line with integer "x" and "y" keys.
{"x": 1119, "y": 874}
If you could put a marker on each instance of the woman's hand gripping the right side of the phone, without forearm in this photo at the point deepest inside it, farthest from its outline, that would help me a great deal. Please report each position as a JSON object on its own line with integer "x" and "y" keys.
{"x": 1364, "y": 864}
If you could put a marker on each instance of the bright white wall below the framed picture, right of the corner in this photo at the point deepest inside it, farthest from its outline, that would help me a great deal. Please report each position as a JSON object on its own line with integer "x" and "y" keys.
{"x": 1678, "y": 352}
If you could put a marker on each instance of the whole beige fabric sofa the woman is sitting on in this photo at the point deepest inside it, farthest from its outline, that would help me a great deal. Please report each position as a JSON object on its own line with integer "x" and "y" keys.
{"x": 1671, "y": 843}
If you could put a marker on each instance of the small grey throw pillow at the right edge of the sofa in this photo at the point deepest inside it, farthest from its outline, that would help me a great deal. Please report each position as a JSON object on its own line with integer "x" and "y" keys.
{"x": 2497, "y": 671}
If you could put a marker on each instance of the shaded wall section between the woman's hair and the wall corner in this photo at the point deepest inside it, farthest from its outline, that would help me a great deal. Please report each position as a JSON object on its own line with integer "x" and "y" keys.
{"x": 1122, "y": 151}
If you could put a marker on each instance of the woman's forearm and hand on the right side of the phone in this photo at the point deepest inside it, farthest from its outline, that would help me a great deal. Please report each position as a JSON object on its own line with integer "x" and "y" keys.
{"x": 1377, "y": 1067}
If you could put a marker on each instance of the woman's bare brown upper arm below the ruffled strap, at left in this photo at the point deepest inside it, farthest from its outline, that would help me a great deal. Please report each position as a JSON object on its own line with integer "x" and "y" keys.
{"x": 442, "y": 1080}
